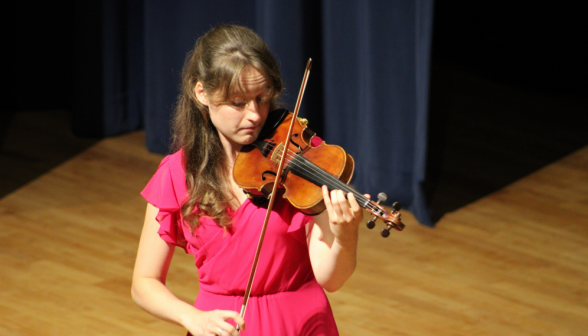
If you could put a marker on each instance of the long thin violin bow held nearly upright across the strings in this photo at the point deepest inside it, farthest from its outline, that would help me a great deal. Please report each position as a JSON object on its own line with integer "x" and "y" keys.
{"x": 274, "y": 189}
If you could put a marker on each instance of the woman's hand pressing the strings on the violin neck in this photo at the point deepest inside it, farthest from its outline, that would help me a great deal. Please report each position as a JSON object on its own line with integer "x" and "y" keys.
{"x": 345, "y": 215}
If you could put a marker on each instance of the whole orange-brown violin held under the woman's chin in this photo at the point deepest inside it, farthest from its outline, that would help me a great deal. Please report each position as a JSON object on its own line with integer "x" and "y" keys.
{"x": 306, "y": 170}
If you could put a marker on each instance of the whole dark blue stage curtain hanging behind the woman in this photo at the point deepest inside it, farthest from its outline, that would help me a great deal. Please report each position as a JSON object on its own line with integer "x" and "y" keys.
{"x": 368, "y": 89}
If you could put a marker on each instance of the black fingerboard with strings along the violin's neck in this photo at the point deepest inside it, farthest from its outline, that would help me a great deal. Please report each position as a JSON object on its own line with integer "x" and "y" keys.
{"x": 301, "y": 166}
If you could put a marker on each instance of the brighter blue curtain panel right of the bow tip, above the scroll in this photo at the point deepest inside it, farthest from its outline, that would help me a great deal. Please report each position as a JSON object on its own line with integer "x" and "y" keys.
{"x": 376, "y": 57}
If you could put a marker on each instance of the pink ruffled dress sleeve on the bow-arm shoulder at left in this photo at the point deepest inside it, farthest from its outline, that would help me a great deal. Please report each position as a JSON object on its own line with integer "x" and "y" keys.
{"x": 166, "y": 191}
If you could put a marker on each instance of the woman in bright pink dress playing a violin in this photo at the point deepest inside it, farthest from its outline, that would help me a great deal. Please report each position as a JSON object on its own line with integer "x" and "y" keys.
{"x": 230, "y": 83}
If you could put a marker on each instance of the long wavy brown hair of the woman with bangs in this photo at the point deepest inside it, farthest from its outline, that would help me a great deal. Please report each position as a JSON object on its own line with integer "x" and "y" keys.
{"x": 217, "y": 61}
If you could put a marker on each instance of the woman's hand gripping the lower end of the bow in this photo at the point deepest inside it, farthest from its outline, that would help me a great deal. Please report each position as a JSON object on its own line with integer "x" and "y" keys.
{"x": 209, "y": 323}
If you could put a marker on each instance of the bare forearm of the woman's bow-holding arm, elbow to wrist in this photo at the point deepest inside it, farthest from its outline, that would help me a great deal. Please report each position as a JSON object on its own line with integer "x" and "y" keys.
{"x": 154, "y": 297}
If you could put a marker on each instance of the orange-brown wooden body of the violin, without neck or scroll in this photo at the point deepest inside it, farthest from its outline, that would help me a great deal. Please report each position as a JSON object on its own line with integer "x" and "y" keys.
{"x": 255, "y": 169}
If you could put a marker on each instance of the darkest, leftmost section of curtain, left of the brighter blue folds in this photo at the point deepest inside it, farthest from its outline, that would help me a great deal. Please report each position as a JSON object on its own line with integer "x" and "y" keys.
{"x": 108, "y": 92}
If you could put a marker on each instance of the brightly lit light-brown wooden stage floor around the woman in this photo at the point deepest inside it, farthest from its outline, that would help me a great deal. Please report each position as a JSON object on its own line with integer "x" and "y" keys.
{"x": 512, "y": 263}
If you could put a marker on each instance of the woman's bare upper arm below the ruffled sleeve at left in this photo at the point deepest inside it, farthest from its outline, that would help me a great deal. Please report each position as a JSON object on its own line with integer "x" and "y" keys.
{"x": 154, "y": 254}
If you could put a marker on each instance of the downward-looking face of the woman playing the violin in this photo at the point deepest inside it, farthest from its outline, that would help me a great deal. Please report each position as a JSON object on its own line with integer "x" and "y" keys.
{"x": 239, "y": 121}
